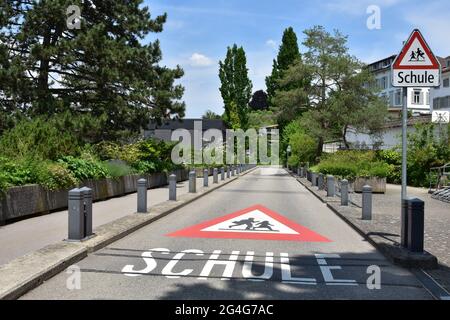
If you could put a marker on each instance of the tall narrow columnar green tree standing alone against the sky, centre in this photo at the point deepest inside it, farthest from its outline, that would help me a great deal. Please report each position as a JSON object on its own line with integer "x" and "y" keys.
{"x": 236, "y": 87}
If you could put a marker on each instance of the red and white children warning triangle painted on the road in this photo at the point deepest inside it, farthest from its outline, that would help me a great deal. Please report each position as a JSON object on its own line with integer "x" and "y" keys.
{"x": 256, "y": 222}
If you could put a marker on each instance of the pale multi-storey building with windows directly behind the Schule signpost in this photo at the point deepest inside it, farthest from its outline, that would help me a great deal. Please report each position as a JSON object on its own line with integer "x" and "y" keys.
{"x": 418, "y": 99}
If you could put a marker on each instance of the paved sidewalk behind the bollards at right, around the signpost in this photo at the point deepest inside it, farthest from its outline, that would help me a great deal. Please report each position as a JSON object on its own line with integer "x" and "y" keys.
{"x": 385, "y": 223}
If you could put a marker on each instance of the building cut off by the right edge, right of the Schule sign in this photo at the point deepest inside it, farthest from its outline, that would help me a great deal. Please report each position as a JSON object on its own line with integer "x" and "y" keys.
{"x": 440, "y": 96}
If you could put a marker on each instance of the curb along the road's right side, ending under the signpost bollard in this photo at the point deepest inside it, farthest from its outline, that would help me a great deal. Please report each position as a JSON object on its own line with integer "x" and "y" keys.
{"x": 396, "y": 254}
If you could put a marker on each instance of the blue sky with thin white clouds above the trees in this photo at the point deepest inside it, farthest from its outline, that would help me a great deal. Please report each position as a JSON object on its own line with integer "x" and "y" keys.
{"x": 198, "y": 32}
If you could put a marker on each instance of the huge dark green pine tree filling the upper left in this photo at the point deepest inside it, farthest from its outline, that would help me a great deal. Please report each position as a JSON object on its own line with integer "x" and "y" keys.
{"x": 102, "y": 68}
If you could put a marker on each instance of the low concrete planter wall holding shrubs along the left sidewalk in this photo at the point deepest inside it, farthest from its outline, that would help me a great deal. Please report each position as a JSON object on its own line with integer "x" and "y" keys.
{"x": 30, "y": 200}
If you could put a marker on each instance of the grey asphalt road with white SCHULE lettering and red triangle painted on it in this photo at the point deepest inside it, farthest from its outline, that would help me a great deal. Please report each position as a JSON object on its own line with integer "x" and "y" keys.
{"x": 149, "y": 264}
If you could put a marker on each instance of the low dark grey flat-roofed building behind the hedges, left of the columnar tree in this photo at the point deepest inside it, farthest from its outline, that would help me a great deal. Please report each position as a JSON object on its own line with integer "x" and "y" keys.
{"x": 164, "y": 130}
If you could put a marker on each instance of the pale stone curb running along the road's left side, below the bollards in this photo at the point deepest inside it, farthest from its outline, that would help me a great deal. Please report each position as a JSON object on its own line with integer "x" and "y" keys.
{"x": 29, "y": 271}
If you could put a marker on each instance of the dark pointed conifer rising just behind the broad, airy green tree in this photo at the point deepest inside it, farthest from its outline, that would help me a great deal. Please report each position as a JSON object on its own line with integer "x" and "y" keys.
{"x": 288, "y": 53}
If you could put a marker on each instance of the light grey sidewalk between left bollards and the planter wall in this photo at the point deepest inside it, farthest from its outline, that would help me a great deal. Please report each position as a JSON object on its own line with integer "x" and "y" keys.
{"x": 20, "y": 238}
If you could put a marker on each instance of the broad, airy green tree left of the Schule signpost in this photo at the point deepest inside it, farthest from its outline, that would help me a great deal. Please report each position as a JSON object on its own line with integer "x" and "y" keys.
{"x": 339, "y": 94}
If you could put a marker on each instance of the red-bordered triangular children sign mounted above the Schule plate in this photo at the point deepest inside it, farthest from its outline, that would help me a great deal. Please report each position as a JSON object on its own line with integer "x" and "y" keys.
{"x": 416, "y": 54}
